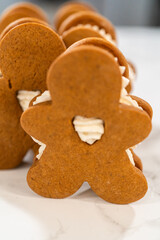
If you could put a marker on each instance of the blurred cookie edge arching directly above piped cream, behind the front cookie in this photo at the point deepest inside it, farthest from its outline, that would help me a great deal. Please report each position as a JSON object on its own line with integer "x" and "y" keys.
{"x": 92, "y": 18}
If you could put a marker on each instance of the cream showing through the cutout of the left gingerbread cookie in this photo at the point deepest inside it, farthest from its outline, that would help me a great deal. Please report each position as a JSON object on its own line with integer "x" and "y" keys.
{"x": 24, "y": 97}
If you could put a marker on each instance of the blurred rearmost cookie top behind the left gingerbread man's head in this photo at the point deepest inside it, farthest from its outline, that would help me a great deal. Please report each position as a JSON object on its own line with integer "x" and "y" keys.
{"x": 20, "y": 10}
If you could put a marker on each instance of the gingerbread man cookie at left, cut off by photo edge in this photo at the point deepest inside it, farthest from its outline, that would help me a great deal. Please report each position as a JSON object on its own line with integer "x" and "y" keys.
{"x": 26, "y": 53}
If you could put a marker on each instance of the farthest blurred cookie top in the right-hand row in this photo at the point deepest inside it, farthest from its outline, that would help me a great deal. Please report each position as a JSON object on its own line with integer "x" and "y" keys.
{"x": 68, "y": 9}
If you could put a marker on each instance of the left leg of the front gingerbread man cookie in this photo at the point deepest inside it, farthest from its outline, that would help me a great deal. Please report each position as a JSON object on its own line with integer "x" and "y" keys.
{"x": 53, "y": 180}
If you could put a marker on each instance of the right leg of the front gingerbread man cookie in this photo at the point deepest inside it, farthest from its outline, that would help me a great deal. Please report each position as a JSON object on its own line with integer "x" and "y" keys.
{"x": 119, "y": 182}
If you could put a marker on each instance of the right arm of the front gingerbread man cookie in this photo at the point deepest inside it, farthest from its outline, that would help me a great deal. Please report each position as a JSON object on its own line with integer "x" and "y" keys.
{"x": 131, "y": 126}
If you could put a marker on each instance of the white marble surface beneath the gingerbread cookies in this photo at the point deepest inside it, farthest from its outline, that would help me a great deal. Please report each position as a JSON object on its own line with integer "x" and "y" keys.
{"x": 24, "y": 215}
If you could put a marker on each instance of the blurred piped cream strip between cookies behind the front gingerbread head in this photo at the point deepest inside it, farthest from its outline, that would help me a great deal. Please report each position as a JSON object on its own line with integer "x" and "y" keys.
{"x": 99, "y": 30}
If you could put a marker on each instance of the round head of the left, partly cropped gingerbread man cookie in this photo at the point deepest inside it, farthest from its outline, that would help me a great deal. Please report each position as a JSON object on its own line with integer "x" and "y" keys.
{"x": 31, "y": 48}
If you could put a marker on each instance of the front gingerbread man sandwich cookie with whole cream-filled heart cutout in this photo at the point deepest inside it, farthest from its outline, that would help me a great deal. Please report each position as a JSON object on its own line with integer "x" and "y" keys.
{"x": 85, "y": 130}
